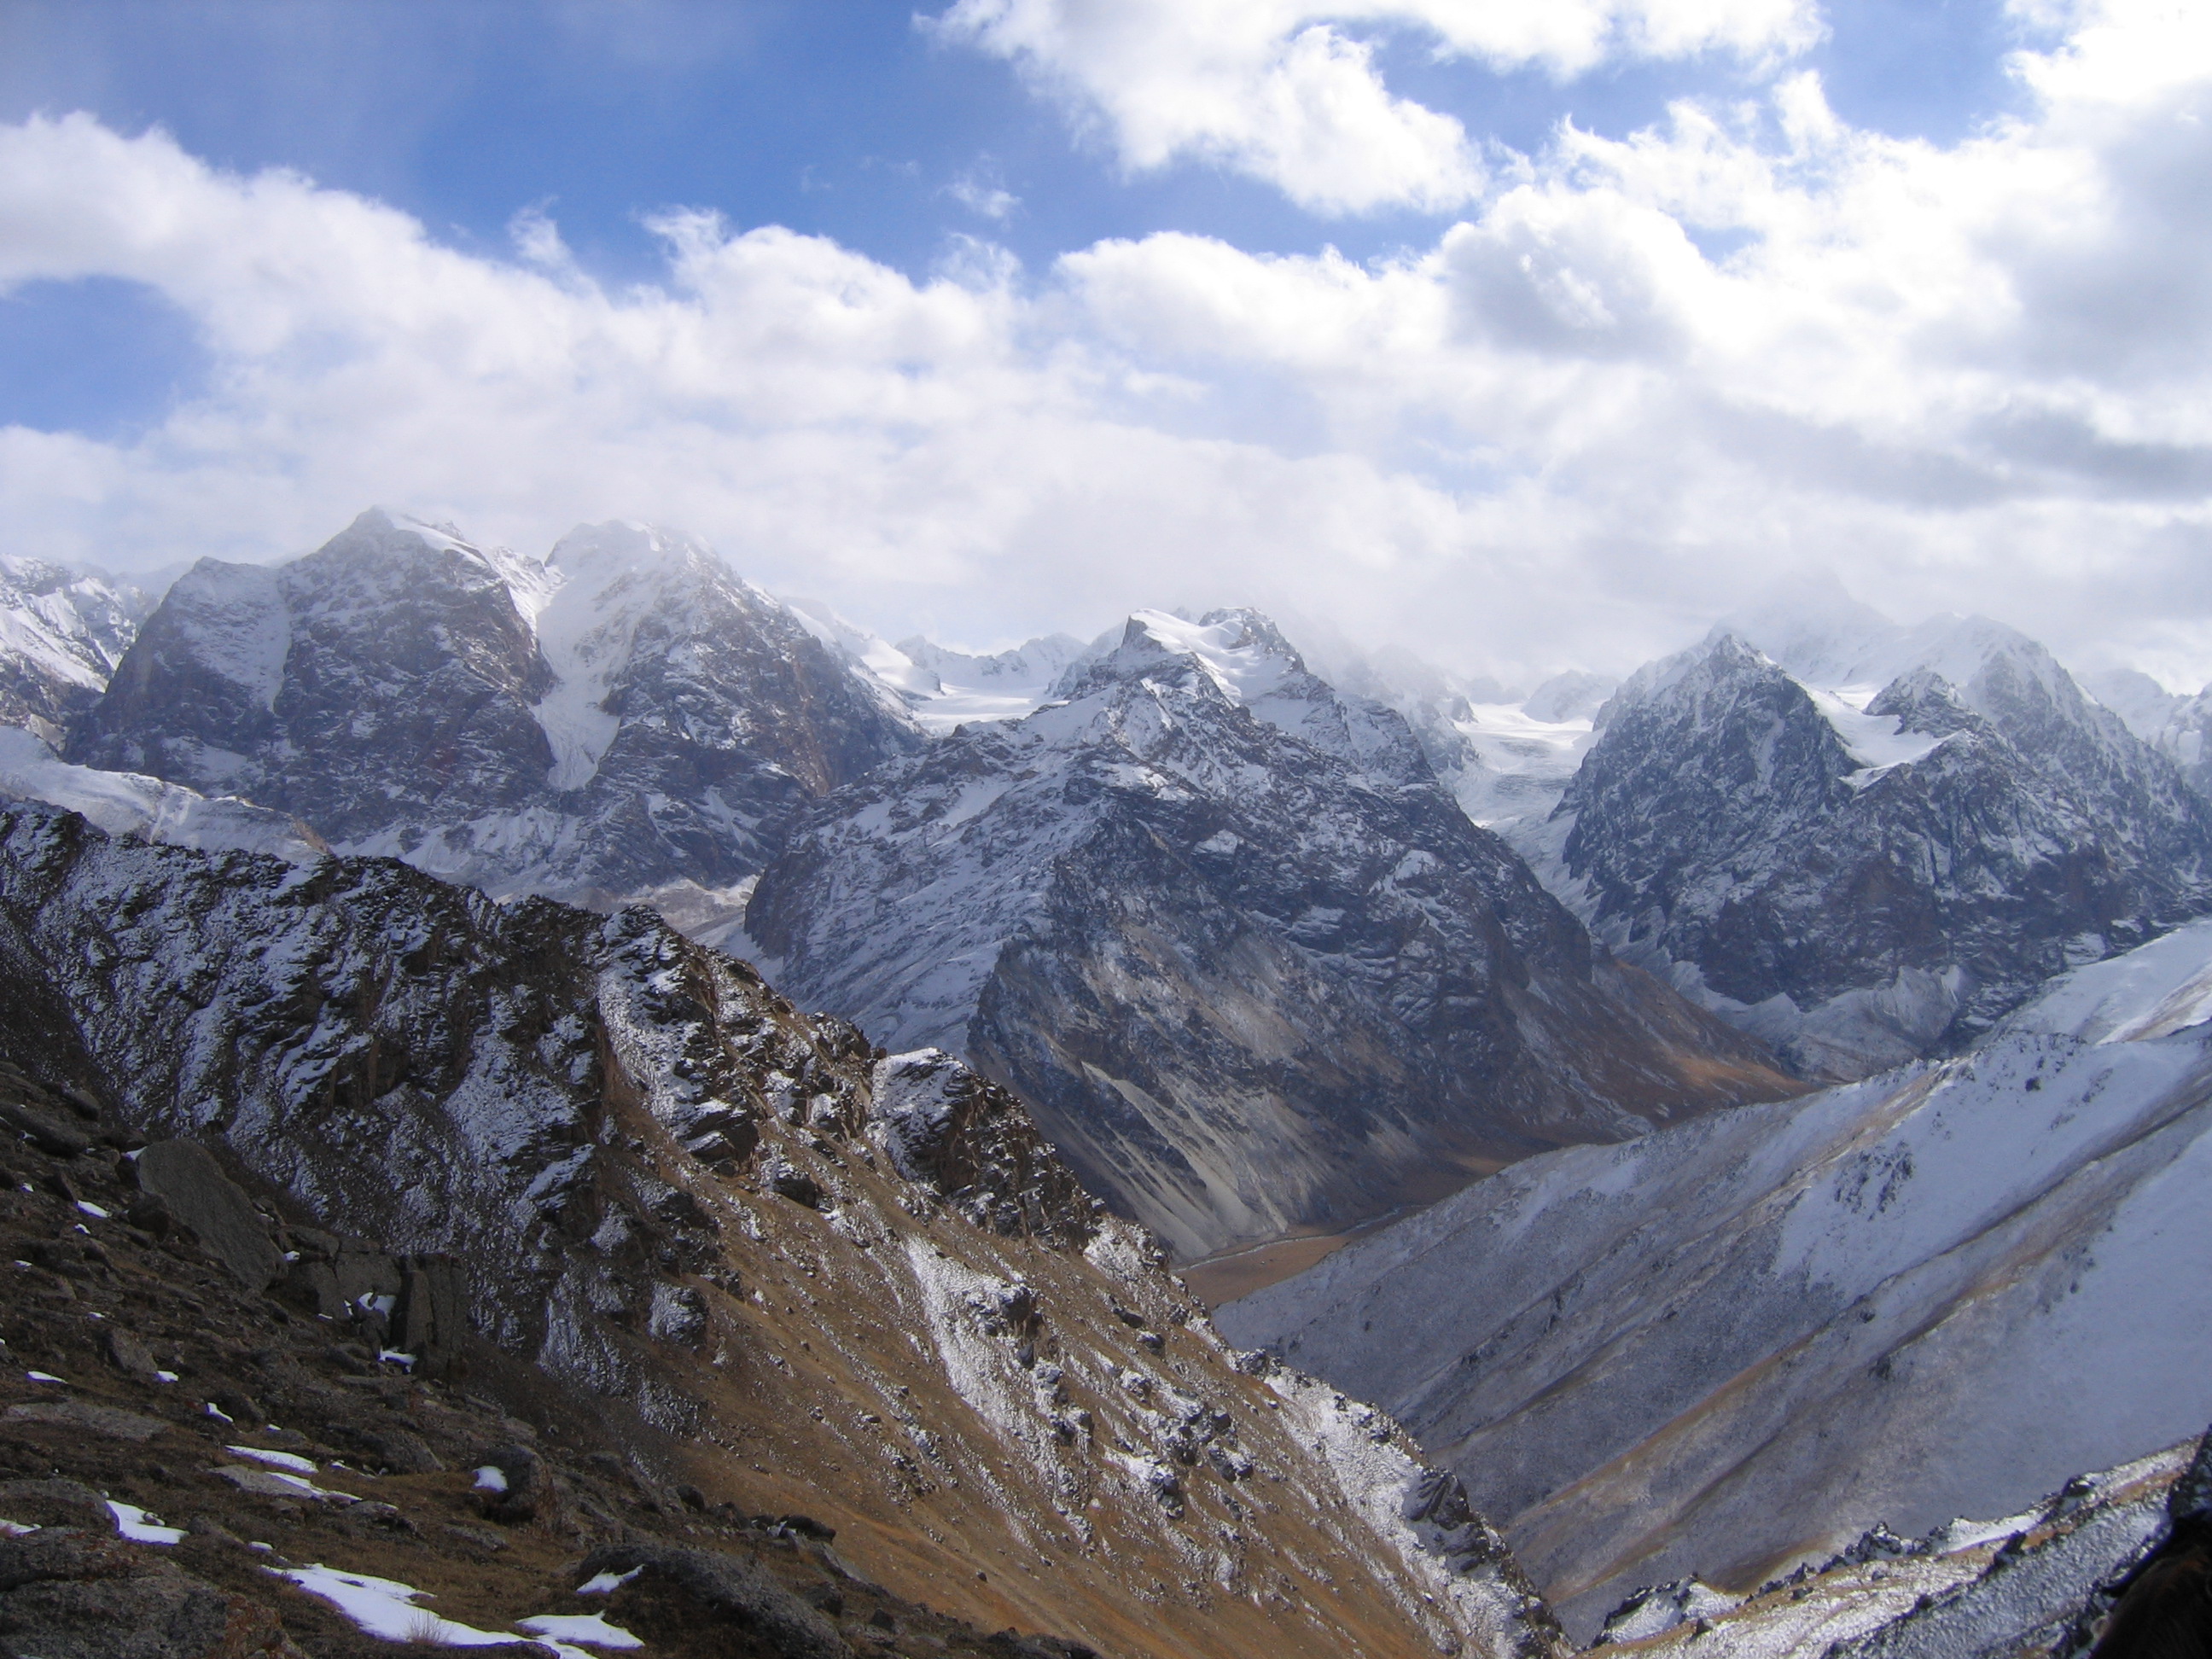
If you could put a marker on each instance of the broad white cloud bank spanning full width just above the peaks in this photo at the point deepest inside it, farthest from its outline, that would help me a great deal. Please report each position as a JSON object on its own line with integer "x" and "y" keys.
{"x": 1567, "y": 430}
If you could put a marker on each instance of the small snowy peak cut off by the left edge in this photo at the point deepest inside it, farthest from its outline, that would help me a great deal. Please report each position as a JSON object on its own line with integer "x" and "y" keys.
{"x": 61, "y": 638}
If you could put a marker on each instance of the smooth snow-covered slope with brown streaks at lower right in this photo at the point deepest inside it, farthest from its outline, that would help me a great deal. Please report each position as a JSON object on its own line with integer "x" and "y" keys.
{"x": 1738, "y": 1344}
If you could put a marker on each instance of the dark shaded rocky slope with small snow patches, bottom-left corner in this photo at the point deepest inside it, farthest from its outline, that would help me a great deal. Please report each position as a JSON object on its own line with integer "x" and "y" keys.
{"x": 194, "y": 1468}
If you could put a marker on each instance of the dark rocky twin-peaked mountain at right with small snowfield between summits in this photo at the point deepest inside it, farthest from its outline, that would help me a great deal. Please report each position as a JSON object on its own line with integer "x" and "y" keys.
{"x": 1870, "y": 881}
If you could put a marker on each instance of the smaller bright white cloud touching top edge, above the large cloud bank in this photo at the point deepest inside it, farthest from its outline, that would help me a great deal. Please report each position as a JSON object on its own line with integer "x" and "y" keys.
{"x": 1277, "y": 90}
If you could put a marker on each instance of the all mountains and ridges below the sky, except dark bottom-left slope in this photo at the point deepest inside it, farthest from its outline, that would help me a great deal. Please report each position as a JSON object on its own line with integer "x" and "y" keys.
{"x": 1797, "y": 1047}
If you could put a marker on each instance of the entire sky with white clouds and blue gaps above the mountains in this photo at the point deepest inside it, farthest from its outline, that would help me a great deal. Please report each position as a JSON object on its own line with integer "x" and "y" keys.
{"x": 1521, "y": 335}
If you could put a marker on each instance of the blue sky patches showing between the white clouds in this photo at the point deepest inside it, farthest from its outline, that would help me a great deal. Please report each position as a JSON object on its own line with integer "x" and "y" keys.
{"x": 851, "y": 121}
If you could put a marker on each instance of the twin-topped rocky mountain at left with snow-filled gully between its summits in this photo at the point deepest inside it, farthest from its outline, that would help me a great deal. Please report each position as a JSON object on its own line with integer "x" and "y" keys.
{"x": 618, "y": 718}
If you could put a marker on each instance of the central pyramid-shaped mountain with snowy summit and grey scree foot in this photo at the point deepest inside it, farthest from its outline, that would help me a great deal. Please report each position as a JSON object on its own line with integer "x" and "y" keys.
{"x": 1233, "y": 943}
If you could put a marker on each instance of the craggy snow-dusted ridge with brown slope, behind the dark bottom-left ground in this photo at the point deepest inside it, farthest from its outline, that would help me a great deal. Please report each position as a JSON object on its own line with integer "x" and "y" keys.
{"x": 795, "y": 1273}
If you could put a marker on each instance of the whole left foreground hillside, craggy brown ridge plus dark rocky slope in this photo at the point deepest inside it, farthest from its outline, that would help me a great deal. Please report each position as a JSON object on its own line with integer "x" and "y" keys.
{"x": 638, "y": 1204}
